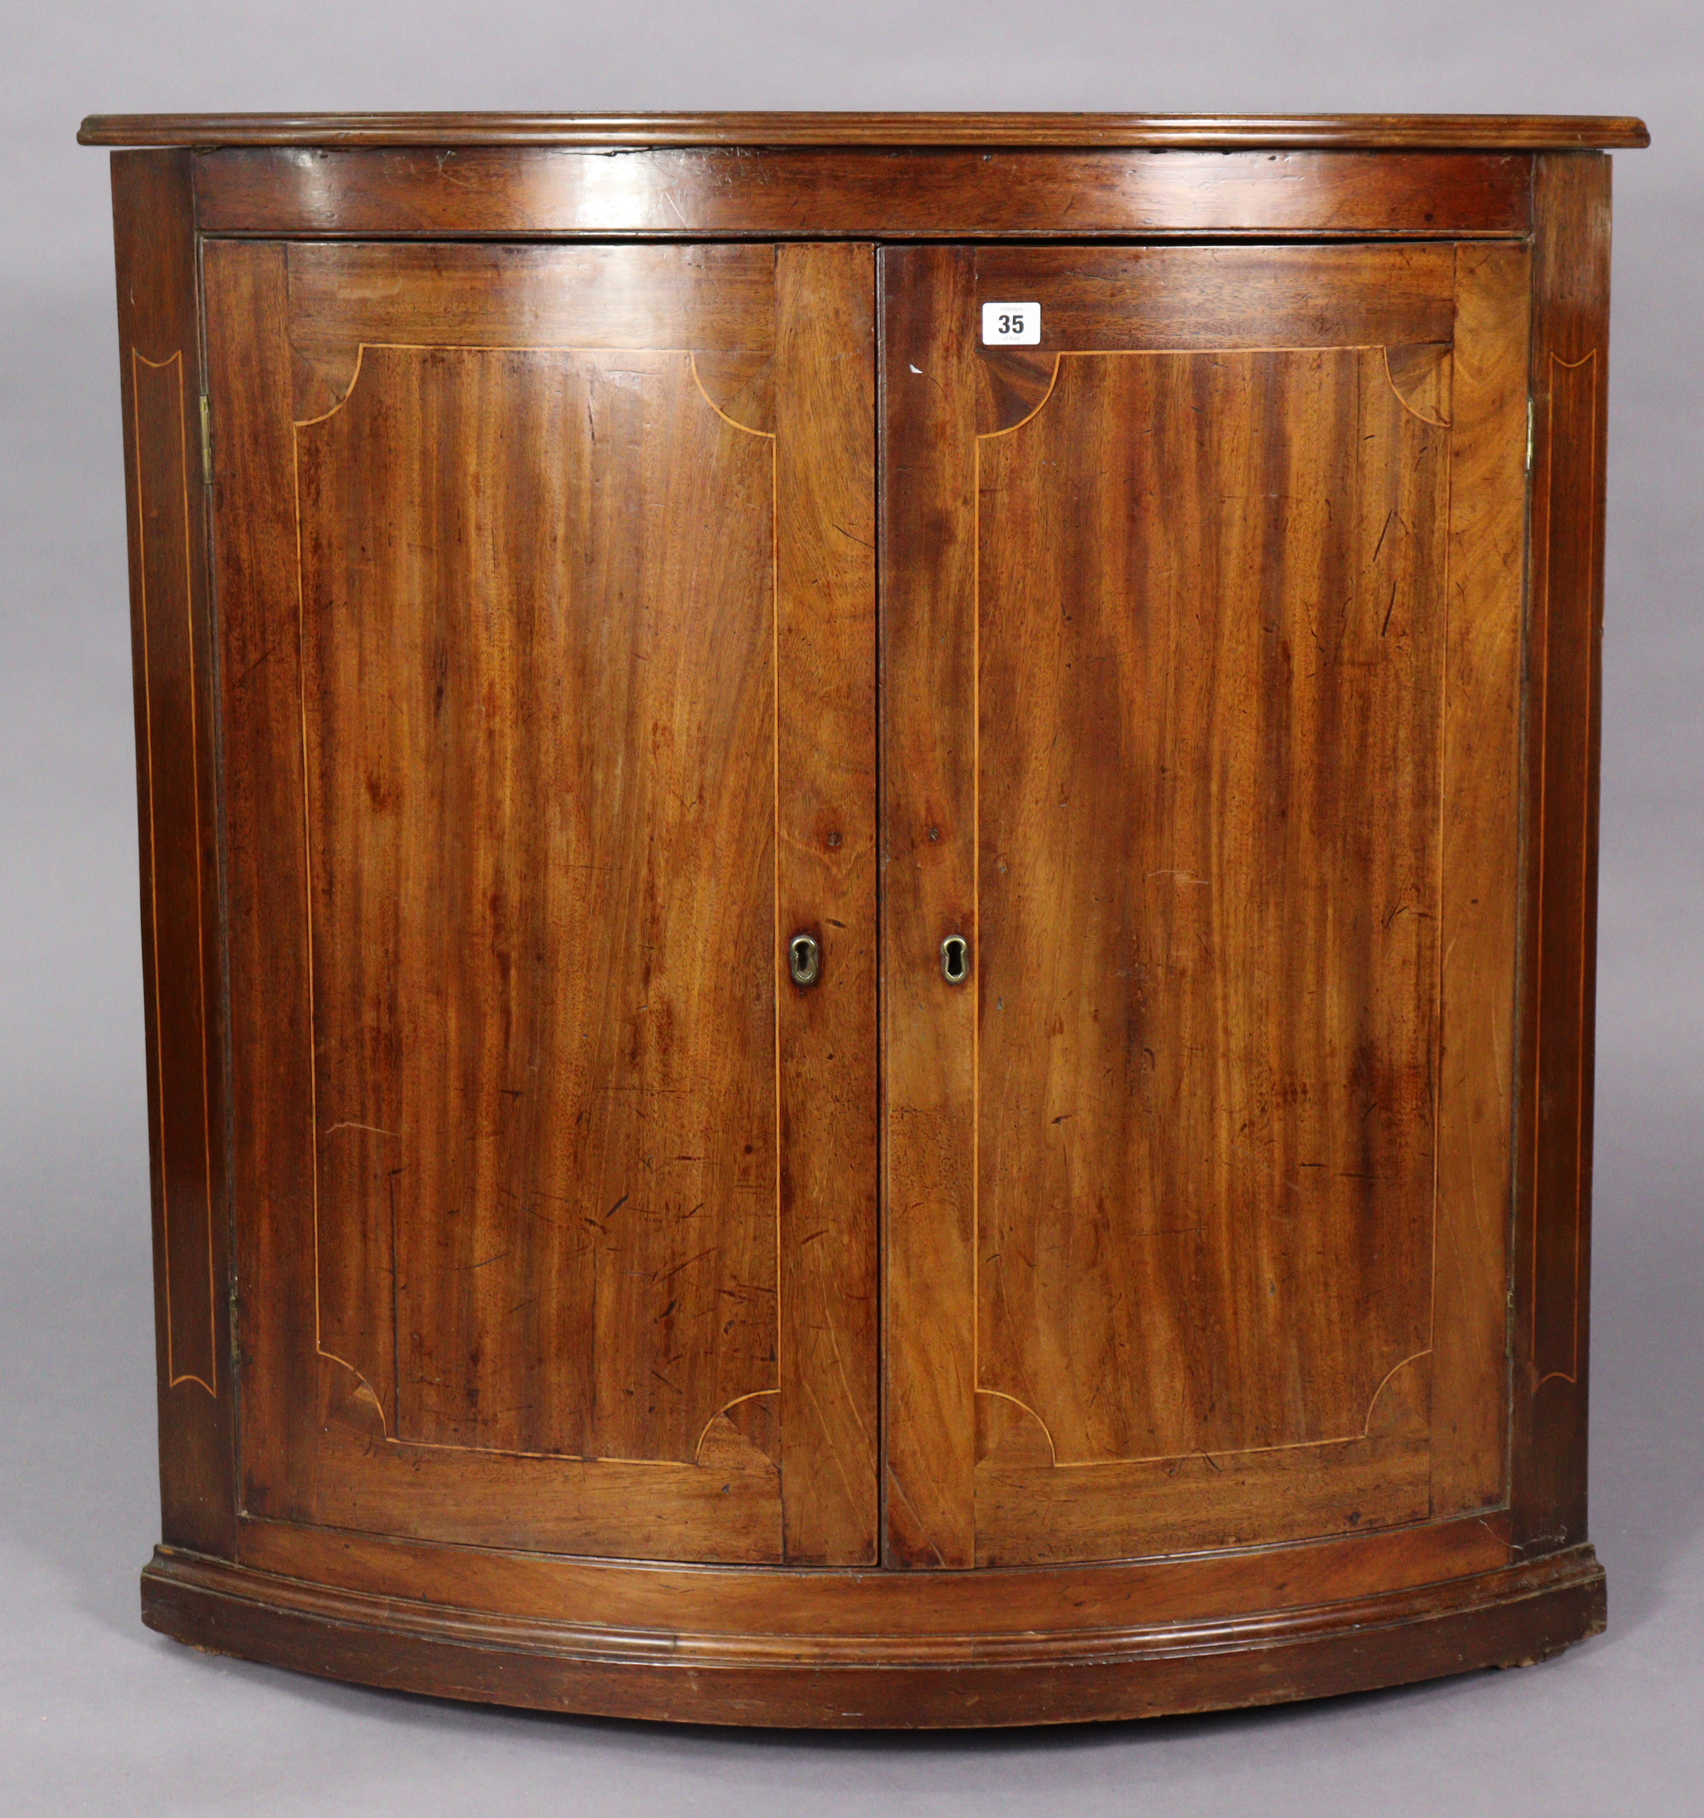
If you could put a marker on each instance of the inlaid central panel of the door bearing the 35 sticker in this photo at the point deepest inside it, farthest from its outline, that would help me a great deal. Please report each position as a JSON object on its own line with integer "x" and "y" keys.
{"x": 1208, "y": 901}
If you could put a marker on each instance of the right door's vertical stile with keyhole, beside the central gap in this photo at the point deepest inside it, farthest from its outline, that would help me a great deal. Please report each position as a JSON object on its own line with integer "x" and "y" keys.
{"x": 928, "y": 894}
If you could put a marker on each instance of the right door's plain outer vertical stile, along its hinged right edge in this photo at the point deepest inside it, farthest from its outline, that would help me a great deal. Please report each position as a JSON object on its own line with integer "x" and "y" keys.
{"x": 1481, "y": 870}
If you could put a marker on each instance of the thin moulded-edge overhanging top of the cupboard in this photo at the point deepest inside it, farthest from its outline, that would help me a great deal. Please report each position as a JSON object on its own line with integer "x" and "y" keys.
{"x": 881, "y": 130}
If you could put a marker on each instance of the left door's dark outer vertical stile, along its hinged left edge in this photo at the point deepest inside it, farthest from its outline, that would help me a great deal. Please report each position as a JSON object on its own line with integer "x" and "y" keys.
{"x": 266, "y": 932}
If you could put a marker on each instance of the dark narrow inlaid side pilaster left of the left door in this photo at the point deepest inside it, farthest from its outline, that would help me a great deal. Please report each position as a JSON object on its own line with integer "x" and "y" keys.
{"x": 159, "y": 339}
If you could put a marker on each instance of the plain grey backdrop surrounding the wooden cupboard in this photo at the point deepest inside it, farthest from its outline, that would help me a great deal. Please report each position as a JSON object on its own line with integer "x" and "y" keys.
{"x": 99, "y": 1715}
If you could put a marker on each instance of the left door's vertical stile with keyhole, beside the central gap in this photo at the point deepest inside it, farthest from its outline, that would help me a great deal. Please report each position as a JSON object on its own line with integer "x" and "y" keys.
{"x": 827, "y": 766}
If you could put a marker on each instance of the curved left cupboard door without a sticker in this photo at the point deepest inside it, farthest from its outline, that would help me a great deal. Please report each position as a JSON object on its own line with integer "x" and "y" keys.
{"x": 546, "y": 624}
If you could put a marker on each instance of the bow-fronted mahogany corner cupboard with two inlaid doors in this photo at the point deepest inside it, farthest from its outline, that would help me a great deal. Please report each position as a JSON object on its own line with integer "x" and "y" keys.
{"x": 868, "y": 864}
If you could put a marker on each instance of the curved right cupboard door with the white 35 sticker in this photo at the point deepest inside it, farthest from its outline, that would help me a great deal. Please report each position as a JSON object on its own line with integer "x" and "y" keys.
{"x": 1203, "y": 650}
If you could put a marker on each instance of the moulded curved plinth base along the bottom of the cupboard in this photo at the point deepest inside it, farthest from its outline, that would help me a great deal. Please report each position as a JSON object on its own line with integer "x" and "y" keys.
{"x": 1510, "y": 1617}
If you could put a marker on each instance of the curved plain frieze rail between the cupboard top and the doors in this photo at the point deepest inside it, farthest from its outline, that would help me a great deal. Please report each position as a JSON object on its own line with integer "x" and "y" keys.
{"x": 865, "y": 195}
